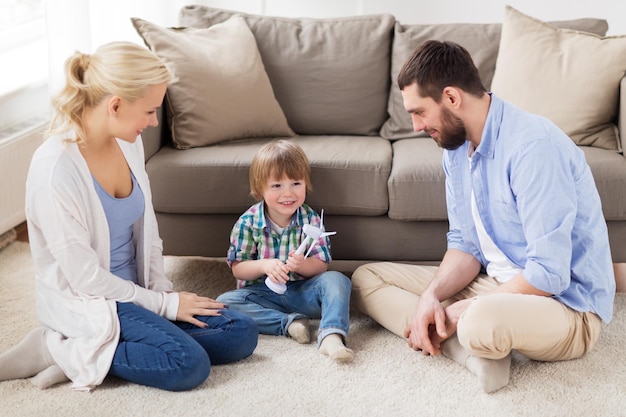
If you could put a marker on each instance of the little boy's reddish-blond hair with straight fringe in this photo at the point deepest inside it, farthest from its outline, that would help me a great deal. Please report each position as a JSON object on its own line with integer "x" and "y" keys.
{"x": 278, "y": 159}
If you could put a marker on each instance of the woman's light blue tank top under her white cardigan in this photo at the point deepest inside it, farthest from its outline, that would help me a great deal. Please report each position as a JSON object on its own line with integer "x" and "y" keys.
{"x": 121, "y": 214}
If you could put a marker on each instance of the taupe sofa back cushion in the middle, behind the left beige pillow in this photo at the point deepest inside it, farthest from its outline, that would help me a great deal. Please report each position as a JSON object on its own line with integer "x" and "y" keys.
{"x": 331, "y": 76}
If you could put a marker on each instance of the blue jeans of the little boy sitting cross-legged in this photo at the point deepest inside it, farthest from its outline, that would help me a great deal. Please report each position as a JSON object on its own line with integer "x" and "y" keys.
{"x": 325, "y": 296}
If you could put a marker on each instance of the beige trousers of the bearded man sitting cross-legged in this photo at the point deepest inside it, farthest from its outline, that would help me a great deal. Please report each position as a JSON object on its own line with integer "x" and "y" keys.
{"x": 540, "y": 328}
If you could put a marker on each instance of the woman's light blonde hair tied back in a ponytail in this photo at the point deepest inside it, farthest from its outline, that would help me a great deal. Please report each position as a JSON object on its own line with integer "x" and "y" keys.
{"x": 117, "y": 68}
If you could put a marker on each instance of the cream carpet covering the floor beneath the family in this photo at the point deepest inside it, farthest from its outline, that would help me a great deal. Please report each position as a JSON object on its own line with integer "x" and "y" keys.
{"x": 283, "y": 378}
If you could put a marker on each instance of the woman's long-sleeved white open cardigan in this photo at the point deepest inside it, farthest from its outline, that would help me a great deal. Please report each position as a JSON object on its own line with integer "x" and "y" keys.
{"x": 70, "y": 245}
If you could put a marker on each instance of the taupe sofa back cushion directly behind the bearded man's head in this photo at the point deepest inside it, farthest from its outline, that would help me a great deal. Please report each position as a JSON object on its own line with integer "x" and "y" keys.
{"x": 481, "y": 40}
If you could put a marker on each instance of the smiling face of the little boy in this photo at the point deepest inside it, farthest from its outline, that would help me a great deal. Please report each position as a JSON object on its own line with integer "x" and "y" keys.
{"x": 283, "y": 197}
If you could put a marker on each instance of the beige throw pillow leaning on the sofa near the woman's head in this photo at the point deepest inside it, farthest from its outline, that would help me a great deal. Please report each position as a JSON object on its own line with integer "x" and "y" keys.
{"x": 221, "y": 90}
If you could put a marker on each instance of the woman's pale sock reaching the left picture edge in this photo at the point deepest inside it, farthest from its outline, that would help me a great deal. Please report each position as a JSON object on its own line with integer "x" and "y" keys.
{"x": 27, "y": 358}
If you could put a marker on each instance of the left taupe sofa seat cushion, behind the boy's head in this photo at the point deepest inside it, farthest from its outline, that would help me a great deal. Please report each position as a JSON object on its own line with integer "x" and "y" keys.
{"x": 349, "y": 176}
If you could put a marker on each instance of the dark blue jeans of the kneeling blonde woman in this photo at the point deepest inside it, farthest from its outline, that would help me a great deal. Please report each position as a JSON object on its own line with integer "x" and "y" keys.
{"x": 177, "y": 356}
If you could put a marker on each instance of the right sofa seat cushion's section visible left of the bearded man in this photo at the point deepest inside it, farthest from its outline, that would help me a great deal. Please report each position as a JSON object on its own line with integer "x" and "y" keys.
{"x": 417, "y": 181}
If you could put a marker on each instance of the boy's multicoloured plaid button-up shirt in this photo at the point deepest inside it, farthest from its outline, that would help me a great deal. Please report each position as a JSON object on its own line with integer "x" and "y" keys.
{"x": 252, "y": 238}
